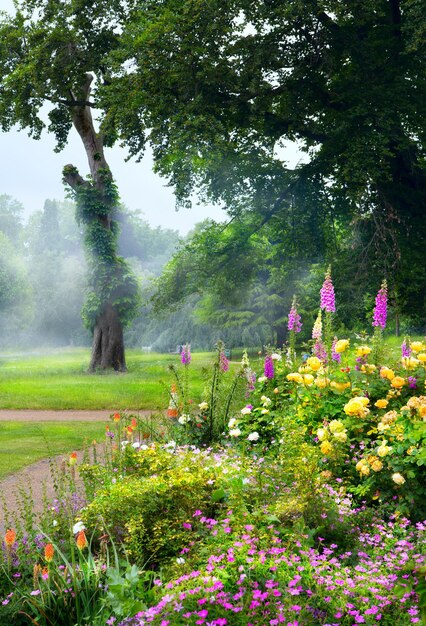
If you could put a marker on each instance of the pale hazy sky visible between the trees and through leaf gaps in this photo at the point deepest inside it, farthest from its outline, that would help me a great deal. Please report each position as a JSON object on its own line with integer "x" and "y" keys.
{"x": 31, "y": 172}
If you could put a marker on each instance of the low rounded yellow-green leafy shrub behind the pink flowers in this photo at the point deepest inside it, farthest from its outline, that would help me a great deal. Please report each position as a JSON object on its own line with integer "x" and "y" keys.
{"x": 147, "y": 511}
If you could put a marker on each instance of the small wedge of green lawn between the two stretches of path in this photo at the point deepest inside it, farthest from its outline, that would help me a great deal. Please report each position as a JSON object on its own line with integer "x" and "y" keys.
{"x": 24, "y": 443}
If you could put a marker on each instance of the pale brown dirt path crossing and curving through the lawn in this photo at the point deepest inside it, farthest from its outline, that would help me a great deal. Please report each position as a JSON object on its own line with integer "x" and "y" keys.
{"x": 33, "y": 477}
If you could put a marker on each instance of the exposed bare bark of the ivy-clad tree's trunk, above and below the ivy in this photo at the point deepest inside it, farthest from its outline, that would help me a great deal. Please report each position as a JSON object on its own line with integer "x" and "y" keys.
{"x": 108, "y": 343}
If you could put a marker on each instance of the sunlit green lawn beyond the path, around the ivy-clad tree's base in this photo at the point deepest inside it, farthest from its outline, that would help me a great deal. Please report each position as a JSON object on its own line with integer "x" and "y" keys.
{"x": 59, "y": 380}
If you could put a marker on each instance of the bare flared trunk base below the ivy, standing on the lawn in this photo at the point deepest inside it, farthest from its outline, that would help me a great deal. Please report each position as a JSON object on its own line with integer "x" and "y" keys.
{"x": 108, "y": 346}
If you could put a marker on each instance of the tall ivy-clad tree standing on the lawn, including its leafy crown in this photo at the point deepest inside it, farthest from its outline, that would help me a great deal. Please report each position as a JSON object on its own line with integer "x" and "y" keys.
{"x": 54, "y": 58}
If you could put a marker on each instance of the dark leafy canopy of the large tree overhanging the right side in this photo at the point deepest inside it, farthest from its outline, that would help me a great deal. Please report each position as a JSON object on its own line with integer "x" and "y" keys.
{"x": 218, "y": 86}
